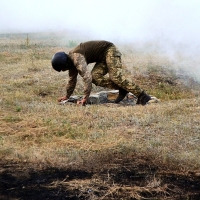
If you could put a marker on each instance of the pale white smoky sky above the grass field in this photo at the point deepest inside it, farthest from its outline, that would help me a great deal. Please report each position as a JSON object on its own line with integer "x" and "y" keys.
{"x": 171, "y": 23}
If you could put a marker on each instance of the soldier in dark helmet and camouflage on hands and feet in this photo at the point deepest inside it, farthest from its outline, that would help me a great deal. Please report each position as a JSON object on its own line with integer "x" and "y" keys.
{"x": 108, "y": 61}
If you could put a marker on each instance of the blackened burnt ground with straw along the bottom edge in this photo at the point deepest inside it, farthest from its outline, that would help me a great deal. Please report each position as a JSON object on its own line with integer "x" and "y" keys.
{"x": 116, "y": 181}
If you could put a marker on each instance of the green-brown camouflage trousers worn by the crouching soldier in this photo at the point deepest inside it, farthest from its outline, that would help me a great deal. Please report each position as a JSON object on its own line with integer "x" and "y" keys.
{"x": 110, "y": 74}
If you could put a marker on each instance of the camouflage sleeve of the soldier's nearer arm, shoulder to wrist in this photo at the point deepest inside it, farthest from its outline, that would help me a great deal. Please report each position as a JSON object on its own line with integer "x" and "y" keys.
{"x": 81, "y": 65}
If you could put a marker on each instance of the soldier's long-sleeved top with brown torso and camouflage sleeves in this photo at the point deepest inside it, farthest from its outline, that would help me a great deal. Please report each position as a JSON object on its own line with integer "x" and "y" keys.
{"x": 81, "y": 56}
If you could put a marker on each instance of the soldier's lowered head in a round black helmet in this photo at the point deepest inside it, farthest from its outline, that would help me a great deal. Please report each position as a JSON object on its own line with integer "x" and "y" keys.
{"x": 60, "y": 61}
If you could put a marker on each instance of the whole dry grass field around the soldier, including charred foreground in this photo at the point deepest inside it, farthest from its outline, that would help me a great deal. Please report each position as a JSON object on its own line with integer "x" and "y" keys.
{"x": 107, "y": 151}
